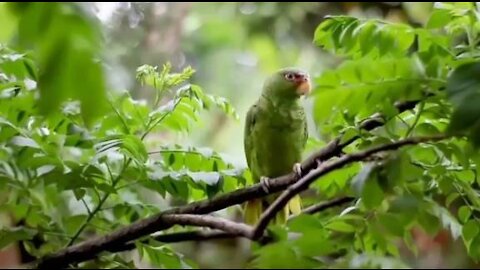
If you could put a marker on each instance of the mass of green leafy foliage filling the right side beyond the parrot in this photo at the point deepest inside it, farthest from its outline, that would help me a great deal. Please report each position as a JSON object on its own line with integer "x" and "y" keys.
{"x": 432, "y": 187}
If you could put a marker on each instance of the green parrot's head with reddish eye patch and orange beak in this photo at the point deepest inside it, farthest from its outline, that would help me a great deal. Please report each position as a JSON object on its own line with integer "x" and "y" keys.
{"x": 288, "y": 82}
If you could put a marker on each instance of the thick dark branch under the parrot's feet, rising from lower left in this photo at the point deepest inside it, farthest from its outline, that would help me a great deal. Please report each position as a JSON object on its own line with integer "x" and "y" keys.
{"x": 88, "y": 249}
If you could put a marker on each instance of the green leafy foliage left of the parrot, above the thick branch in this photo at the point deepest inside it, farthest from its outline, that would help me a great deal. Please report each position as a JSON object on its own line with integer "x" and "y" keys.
{"x": 64, "y": 178}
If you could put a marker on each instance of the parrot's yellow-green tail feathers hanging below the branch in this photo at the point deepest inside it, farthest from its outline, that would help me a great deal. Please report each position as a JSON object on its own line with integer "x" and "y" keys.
{"x": 255, "y": 208}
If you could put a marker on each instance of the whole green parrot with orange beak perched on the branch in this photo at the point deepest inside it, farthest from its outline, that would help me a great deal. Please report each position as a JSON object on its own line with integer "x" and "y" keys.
{"x": 275, "y": 136}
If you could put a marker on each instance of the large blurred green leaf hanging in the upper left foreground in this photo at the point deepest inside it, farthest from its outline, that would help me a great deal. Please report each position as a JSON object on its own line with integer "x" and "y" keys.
{"x": 68, "y": 43}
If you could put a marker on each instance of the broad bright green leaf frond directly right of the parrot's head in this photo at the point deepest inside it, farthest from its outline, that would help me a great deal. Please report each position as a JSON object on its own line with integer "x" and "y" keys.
{"x": 359, "y": 88}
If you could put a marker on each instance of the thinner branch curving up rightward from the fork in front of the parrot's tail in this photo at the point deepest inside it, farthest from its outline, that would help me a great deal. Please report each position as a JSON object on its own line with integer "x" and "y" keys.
{"x": 325, "y": 168}
